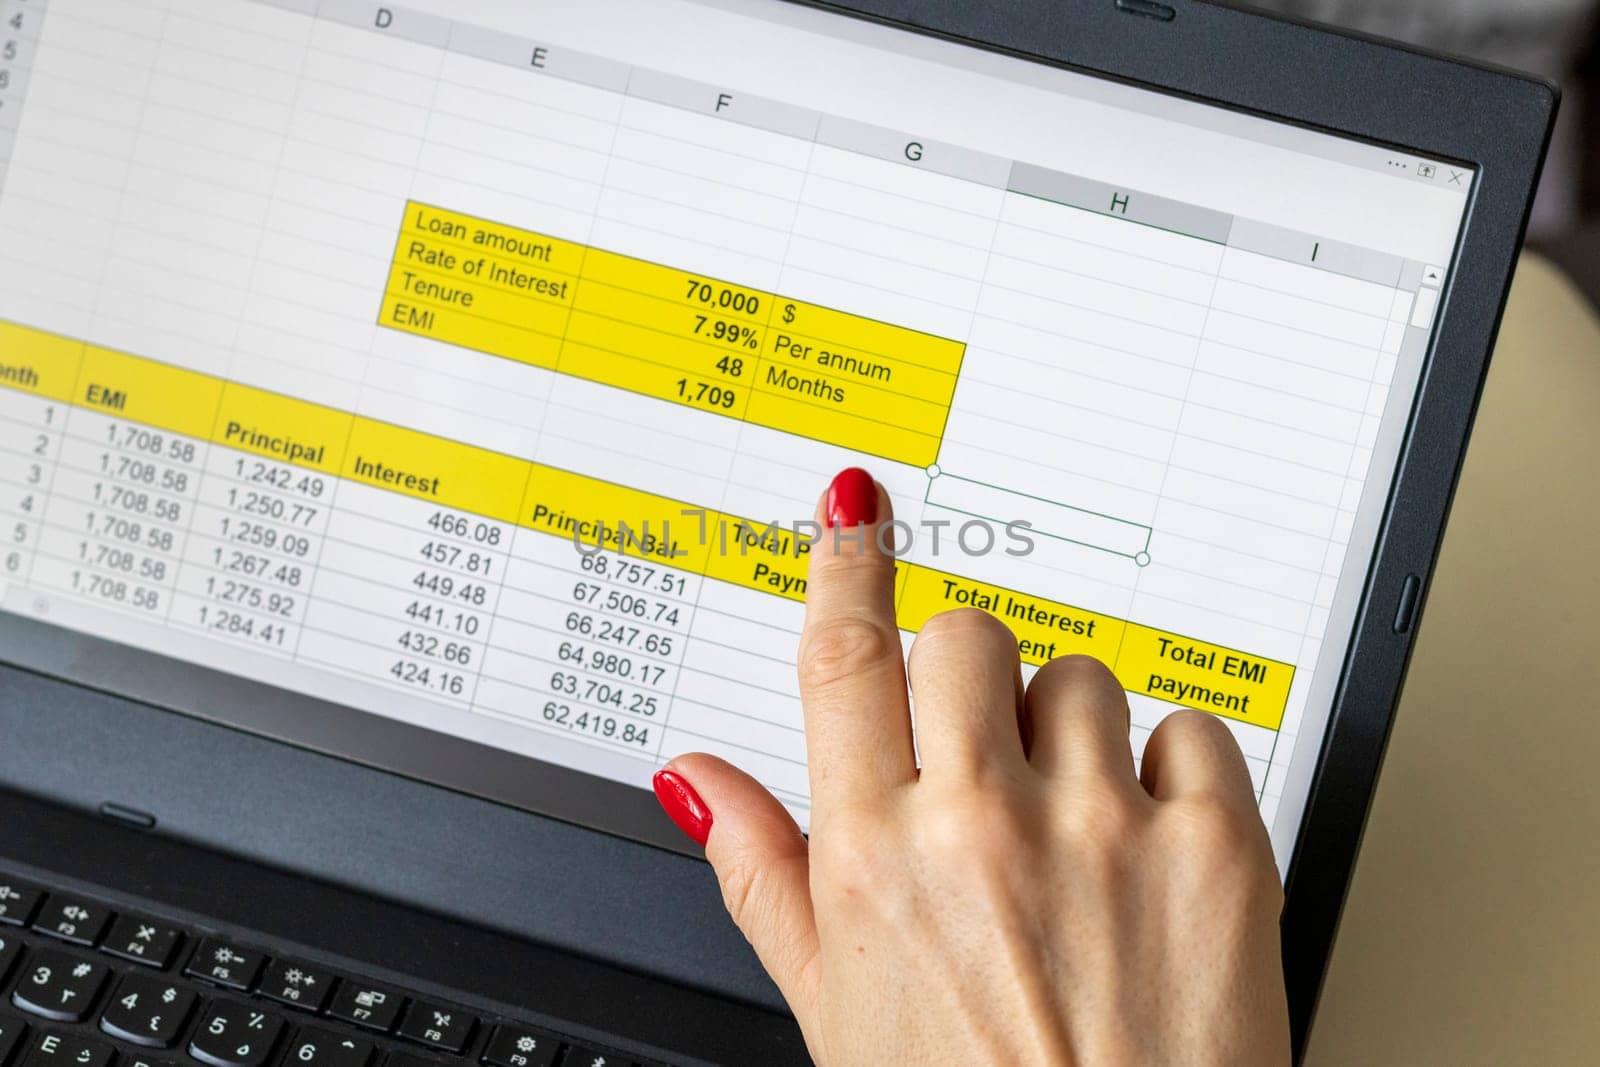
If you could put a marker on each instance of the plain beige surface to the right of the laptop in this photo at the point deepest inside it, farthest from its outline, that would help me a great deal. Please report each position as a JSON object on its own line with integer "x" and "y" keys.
{"x": 1473, "y": 930}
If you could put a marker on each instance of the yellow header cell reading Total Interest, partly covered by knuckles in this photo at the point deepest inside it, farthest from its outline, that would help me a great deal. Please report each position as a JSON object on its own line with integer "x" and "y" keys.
{"x": 1044, "y": 629}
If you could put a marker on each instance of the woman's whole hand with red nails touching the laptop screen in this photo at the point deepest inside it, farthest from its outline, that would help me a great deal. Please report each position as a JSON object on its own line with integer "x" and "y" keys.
{"x": 1025, "y": 898}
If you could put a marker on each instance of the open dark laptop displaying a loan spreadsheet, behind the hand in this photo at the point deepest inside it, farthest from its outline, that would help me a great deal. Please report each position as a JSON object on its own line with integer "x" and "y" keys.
{"x": 409, "y": 415}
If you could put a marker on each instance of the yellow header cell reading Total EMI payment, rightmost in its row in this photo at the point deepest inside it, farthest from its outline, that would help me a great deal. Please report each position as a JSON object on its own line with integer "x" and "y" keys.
{"x": 1206, "y": 677}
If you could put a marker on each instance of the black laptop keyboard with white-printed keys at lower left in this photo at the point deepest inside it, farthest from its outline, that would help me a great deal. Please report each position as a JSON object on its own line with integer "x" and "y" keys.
{"x": 89, "y": 988}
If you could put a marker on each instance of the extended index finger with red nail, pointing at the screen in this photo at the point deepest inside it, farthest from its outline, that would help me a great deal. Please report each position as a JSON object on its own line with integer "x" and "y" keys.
{"x": 852, "y": 663}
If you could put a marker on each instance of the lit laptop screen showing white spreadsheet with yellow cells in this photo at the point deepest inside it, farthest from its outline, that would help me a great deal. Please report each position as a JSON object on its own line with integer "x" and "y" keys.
{"x": 478, "y": 366}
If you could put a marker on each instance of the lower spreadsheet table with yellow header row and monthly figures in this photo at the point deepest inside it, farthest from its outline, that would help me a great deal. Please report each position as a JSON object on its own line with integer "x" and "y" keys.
{"x": 486, "y": 581}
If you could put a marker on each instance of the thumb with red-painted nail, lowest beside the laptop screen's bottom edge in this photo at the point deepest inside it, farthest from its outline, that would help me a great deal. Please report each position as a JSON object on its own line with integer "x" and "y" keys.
{"x": 762, "y": 863}
